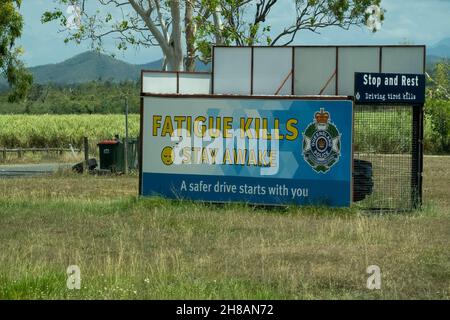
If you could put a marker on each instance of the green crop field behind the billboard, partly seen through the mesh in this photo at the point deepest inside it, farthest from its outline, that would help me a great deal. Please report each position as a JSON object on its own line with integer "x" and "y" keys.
{"x": 57, "y": 131}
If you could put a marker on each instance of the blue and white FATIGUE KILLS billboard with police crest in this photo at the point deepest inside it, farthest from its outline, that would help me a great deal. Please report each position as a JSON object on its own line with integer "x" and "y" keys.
{"x": 262, "y": 150}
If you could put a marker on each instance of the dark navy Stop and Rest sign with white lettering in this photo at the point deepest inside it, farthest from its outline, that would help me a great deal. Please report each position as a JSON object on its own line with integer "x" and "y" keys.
{"x": 389, "y": 88}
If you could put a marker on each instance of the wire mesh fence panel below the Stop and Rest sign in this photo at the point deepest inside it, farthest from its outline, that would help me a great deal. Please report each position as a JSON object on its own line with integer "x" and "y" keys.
{"x": 390, "y": 138}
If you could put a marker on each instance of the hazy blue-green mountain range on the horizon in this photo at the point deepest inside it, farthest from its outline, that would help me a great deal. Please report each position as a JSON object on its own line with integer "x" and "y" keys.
{"x": 91, "y": 65}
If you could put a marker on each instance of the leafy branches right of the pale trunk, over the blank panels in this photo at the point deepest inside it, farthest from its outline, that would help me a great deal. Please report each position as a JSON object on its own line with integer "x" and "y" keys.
{"x": 247, "y": 23}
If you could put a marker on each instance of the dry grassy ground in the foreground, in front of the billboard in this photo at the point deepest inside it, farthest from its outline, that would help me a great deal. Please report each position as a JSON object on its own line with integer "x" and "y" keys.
{"x": 154, "y": 248}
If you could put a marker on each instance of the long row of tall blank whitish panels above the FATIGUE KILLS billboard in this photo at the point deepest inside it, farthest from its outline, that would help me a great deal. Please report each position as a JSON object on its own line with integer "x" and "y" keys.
{"x": 307, "y": 70}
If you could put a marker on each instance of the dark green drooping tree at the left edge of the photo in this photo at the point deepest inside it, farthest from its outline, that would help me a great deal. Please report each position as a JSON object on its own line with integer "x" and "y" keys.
{"x": 11, "y": 68}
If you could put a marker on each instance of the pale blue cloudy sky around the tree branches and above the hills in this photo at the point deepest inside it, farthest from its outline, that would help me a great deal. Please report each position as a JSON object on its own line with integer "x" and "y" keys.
{"x": 412, "y": 21}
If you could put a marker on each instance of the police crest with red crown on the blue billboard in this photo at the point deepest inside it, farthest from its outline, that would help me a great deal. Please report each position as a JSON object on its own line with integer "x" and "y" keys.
{"x": 321, "y": 142}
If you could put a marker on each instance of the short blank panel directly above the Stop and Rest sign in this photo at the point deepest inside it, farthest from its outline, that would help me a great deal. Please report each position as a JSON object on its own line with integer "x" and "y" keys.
{"x": 403, "y": 60}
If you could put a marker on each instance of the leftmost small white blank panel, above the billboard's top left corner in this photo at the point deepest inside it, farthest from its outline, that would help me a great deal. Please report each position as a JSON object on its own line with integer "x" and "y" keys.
{"x": 159, "y": 82}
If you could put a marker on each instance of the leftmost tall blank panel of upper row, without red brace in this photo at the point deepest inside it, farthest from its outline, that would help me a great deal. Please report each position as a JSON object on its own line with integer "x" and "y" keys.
{"x": 232, "y": 70}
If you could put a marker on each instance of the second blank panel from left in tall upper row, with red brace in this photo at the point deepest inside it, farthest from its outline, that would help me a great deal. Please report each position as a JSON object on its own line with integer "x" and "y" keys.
{"x": 272, "y": 66}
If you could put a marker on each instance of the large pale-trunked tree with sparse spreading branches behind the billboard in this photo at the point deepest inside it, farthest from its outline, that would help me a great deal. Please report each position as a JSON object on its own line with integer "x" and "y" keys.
{"x": 197, "y": 24}
